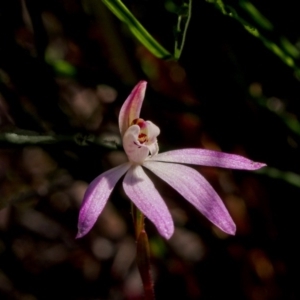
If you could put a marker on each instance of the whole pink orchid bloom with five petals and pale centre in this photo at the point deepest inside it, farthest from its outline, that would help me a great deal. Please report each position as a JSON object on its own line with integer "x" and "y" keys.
{"x": 140, "y": 144}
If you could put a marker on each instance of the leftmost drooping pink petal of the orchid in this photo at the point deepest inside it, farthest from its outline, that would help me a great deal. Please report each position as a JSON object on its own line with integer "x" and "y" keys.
{"x": 96, "y": 197}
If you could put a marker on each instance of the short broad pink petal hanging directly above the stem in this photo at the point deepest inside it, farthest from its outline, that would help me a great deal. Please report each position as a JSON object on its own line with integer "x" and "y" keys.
{"x": 142, "y": 192}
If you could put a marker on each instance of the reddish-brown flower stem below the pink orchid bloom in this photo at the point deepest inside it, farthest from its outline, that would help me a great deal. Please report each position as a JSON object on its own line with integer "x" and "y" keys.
{"x": 143, "y": 252}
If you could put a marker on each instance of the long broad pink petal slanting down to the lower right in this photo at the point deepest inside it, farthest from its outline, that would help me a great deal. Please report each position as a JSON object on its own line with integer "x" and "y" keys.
{"x": 194, "y": 188}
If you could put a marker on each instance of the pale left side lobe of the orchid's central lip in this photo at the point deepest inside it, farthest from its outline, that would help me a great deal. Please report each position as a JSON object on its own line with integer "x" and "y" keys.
{"x": 135, "y": 151}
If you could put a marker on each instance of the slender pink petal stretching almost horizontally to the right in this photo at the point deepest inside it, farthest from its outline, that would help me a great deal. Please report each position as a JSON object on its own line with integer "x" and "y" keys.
{"x": 210, "y": 158}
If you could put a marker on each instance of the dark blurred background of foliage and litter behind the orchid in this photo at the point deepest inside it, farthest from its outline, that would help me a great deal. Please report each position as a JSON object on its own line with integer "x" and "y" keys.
{"x": 66, "y": 67}
